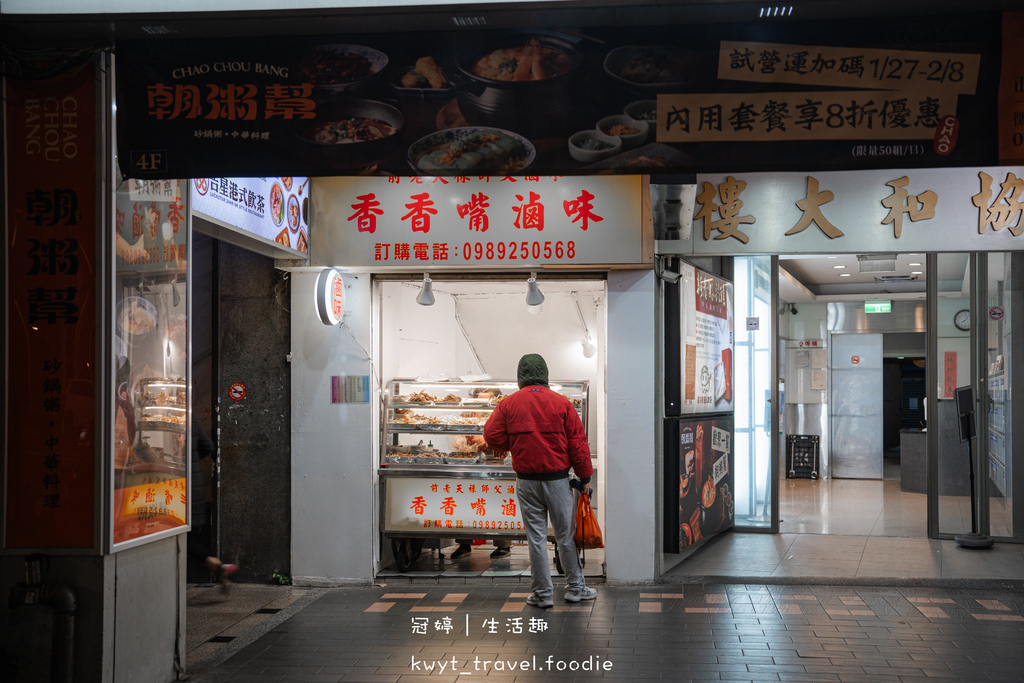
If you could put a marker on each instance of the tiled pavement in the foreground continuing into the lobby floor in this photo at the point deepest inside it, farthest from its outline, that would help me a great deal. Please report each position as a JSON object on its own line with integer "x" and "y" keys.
{"x": 850, "y": 591}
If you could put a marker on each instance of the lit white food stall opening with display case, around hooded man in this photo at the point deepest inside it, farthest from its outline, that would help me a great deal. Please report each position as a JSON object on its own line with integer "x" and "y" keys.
{"x": 446, "y": 360}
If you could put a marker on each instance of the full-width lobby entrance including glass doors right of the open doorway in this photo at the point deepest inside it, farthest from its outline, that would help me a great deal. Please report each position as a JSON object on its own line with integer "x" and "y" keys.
{"x": 865, "y": 380}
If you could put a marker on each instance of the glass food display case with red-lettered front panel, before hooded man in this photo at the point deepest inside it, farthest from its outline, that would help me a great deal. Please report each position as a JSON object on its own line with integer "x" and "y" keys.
{"x": 439, "y": 479}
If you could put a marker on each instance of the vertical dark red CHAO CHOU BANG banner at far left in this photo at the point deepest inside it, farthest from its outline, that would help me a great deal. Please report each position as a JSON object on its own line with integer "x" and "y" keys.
{"x": 52, "y": 311}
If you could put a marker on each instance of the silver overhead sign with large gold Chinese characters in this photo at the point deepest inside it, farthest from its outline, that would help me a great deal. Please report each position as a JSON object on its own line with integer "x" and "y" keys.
{"x": 913, "y": 210}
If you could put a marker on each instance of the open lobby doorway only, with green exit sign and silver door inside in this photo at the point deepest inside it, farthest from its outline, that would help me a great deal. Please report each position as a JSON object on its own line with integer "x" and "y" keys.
{"x": 852, "y": 357}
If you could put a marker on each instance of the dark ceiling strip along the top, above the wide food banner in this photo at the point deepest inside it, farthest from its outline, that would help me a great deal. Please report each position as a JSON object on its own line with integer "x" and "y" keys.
{"x": 18, "y": 30}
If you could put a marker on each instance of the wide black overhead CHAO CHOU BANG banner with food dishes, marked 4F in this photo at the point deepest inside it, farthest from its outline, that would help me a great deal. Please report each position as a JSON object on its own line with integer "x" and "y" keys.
{"x": 635, "y": 101}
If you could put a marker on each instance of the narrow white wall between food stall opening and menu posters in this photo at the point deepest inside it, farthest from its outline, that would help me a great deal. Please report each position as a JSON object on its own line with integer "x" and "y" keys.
{"x": 631, "y": 509}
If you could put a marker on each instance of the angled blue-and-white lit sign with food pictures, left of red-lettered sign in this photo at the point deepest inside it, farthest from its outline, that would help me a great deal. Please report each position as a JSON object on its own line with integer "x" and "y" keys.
{"x": 274, "y": 209}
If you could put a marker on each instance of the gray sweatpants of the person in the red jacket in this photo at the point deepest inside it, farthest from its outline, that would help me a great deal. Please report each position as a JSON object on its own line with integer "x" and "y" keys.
{"x": 537, "y": 501}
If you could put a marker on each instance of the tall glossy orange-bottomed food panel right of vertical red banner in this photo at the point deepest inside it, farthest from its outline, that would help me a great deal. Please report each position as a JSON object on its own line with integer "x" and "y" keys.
{"x": 151, "y": 352}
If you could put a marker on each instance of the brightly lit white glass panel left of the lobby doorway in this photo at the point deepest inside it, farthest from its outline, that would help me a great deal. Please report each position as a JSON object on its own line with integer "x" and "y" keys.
{"x": 756, "y": 421}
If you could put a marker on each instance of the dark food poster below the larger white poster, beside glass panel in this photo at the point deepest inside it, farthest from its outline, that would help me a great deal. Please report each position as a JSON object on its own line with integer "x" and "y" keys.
{"x": 706, "y": 479}
